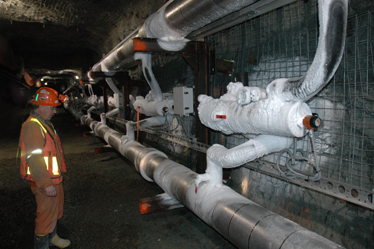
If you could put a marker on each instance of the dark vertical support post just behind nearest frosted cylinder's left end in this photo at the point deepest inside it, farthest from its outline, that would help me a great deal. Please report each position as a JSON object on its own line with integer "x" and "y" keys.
{"x": 201, "y": 82}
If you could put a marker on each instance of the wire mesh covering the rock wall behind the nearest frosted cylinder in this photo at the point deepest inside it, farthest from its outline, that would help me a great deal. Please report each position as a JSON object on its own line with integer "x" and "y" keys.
{"x": 282, "y": 44}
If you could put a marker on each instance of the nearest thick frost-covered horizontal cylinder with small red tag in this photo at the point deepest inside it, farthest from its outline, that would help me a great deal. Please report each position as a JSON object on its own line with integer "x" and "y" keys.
{"x": 267, "y": 116}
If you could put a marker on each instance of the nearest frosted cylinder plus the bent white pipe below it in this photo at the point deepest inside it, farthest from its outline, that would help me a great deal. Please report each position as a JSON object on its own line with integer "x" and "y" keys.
{"x": 246, "y": 110}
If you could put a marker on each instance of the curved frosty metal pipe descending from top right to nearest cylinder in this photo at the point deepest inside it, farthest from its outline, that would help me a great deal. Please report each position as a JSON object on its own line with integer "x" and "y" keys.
{"x": 331, "y": 42}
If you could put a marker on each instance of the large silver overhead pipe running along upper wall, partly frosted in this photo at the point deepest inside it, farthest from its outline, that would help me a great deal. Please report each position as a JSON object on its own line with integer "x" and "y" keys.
{"x": 173, "y": 21}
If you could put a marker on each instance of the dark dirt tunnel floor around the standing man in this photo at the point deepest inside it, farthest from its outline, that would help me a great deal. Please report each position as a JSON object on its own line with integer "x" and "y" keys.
{"x": 102, "y": 192}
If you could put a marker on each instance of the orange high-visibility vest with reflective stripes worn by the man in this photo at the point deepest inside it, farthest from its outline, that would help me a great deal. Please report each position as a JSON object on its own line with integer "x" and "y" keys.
{"x": 54, "y": 161}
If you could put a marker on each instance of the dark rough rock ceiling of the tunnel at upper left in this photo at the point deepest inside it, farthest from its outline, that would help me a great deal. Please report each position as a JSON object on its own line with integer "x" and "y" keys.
{"x": 61, "y": 34}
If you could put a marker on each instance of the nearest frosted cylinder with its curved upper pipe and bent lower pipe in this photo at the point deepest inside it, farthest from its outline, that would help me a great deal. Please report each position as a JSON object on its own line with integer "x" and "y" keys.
{"x": 274, "y": 116}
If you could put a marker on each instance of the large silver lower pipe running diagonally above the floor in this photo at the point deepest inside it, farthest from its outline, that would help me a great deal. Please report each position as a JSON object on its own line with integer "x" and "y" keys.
{"x": 241, "y": 221}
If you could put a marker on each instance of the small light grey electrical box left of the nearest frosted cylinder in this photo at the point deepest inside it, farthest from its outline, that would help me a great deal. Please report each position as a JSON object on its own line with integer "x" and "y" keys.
{"x": 183, "y": 100}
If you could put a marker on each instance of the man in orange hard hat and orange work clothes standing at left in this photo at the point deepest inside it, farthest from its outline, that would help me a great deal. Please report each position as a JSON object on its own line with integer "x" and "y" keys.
{"x": 42, "y": 161}
